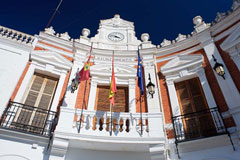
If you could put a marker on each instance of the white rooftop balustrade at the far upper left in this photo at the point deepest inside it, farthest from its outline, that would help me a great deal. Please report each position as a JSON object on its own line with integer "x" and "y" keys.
{"x": 16, "y": 35}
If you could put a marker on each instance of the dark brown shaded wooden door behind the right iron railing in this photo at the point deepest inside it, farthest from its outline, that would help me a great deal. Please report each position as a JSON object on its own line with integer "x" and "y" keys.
{"x": 197, "y": 121}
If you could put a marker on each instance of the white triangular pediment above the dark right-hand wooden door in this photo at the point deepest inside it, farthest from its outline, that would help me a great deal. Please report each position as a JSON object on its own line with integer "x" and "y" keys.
{"x": 182, "y": 62}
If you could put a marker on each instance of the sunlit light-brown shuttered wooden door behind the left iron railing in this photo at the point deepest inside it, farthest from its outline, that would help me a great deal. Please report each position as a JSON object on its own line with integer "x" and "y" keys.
{"x": 40, "y": 94}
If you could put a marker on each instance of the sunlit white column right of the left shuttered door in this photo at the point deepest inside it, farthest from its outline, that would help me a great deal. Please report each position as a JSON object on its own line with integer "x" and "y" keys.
{"x": 58, "y": 90}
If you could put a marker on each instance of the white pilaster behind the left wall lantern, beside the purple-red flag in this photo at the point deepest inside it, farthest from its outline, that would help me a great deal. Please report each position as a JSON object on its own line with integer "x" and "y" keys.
{"x": 70, "y": 98}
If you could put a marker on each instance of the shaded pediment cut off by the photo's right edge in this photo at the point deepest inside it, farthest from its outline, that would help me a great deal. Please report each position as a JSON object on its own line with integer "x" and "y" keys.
{"x": 232, "y": 40}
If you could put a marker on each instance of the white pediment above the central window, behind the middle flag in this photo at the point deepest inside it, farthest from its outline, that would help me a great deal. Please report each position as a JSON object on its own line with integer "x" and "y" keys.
{"x": 105, "y": 70}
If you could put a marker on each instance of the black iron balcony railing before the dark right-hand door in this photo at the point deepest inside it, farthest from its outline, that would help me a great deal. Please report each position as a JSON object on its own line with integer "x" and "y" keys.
{"x": 198, "y": 125}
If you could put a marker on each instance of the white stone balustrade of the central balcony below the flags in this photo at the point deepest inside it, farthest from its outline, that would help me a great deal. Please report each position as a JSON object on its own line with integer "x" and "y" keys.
{"x": 123, "y": 124}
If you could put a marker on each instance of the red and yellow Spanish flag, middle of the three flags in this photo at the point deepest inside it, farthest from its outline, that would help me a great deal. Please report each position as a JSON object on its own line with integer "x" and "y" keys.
{"x": 113, "y": 88}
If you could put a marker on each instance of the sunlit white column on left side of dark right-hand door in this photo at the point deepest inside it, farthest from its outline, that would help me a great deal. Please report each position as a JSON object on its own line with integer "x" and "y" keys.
{"x": 173, "y": 97}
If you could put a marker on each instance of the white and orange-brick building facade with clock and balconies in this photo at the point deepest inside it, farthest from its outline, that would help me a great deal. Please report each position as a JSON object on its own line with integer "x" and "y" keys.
{"x": 194, "y": 112}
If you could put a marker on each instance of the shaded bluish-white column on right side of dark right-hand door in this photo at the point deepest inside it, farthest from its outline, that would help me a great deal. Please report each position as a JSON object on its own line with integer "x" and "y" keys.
{"x": 206, "y": 88}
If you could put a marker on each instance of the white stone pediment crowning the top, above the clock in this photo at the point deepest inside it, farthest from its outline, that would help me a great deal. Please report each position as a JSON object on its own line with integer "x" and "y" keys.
{"x": 116, "y": 21}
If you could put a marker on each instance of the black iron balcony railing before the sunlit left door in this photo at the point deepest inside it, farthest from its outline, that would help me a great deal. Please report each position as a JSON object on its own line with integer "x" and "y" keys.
{"x": 29, "y": 119}
